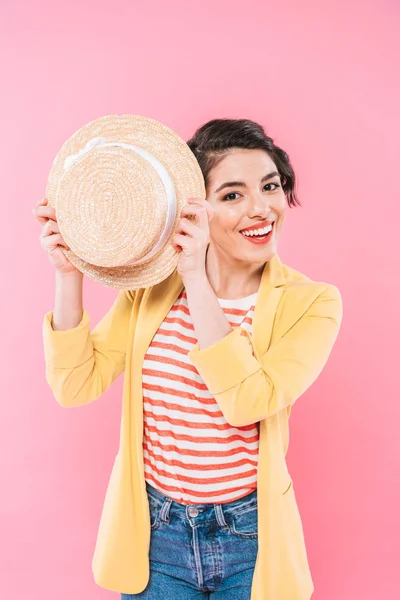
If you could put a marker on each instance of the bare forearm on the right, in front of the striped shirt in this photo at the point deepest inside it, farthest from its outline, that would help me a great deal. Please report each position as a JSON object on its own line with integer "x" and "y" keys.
{"x": 209, "y": 320}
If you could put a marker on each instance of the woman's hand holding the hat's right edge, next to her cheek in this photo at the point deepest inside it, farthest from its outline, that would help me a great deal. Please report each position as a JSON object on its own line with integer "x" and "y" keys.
{"x": 191, "y": 238}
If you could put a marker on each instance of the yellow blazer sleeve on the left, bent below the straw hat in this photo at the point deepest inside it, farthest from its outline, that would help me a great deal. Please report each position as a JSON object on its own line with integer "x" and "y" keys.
{"x": 81, "y": 365}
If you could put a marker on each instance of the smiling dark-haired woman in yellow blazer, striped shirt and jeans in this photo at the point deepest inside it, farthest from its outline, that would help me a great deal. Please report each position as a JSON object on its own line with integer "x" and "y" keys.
{"x": 200, "y": 502}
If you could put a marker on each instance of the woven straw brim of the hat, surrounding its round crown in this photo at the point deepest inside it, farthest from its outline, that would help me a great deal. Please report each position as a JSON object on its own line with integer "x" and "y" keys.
{"x": 173, "y": 152}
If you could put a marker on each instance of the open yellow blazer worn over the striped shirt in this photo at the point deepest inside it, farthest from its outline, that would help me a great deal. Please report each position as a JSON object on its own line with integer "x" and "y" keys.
{"x": 254, "y": 378}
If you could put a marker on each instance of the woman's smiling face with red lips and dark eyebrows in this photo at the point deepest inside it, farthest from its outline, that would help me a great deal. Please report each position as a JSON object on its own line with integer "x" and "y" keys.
{"x": 254, "y": 201}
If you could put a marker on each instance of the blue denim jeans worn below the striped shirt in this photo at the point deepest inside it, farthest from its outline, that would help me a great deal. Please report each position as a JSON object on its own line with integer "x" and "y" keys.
{"x": 200, "y": 551}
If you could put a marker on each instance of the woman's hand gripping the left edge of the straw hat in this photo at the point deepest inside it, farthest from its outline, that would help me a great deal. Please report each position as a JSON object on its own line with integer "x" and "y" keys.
{"x": 51, "y": 238}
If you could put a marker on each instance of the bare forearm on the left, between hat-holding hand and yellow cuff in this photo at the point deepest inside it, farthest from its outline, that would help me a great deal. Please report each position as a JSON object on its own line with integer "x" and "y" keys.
{"x": 68, "y": 301}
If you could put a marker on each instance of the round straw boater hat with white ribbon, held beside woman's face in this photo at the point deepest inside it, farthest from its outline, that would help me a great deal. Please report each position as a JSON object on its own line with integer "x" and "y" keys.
{"x": 118, "y": 185}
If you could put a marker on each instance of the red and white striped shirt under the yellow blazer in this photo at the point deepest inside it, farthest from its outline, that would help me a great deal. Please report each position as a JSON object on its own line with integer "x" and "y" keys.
{"x": 191, "y": 453}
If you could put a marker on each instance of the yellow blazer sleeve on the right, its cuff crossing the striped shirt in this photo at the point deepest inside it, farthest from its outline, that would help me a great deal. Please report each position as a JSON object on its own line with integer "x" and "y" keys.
{"x": 248, "y": 390}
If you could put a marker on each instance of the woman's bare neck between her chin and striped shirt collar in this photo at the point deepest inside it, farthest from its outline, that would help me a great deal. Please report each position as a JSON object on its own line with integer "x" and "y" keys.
{"x": 231, "y": 278}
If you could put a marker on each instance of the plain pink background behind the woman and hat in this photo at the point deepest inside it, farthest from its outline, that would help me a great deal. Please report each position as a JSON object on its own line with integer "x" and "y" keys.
{"x": 322, "y": 77}
